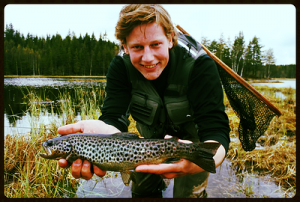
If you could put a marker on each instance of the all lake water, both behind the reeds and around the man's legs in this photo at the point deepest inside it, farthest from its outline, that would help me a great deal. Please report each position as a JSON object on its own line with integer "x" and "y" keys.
{"x": 224, "y": 184}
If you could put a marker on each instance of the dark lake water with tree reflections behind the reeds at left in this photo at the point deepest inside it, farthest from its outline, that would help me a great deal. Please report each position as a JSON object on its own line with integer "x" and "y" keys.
{"x": 17, "y": 90}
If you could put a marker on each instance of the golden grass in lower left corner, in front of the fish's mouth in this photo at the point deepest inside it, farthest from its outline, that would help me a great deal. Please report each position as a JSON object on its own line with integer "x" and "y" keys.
{"x": 26, "y": 174}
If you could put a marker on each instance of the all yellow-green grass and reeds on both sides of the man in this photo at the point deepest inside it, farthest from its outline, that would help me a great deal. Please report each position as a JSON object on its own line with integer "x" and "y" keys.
{"x": 27, "y": 175}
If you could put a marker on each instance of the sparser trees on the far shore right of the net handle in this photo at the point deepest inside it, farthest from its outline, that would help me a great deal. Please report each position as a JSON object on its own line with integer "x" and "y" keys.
{"x": 248, "y": 60}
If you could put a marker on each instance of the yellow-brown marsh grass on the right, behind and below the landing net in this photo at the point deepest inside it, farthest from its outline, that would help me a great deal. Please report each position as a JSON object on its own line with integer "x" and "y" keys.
{"x": 277, "y": 156}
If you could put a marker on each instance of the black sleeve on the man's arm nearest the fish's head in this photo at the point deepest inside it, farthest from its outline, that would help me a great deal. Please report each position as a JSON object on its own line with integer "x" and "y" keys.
{"x": 118, "y": 95}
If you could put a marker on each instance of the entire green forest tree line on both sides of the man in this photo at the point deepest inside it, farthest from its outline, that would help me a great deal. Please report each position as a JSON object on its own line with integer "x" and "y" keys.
{"x": 87, "y": 56}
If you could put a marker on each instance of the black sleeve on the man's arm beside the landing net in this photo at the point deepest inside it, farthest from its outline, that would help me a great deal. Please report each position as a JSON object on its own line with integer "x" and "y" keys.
{"x": 207, "y": 99}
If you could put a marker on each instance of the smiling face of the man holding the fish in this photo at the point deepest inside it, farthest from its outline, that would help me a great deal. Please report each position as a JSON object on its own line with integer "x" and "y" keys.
{"x": 148, "y": 48}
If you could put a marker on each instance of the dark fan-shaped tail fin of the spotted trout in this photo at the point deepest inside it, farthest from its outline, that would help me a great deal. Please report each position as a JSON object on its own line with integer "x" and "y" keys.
{"x": 203, "y": 157}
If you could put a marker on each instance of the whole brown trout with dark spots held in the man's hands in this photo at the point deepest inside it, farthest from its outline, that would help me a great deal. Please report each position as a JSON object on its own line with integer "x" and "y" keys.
{"x": 122, "y": 152}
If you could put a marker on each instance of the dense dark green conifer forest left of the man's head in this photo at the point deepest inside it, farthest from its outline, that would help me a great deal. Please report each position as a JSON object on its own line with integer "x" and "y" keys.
{"x": 51, "y": 56}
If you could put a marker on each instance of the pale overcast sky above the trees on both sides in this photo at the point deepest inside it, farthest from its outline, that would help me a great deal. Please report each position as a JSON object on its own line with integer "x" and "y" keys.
{"x": 274, "y": 25}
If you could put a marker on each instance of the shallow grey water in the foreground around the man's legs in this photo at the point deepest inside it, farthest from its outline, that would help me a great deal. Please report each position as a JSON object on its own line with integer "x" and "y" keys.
{"x": 223, "y": 184}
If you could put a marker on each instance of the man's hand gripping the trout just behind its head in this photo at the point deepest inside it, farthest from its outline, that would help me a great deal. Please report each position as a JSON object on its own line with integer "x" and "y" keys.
{"x": 83, "y": 169}
